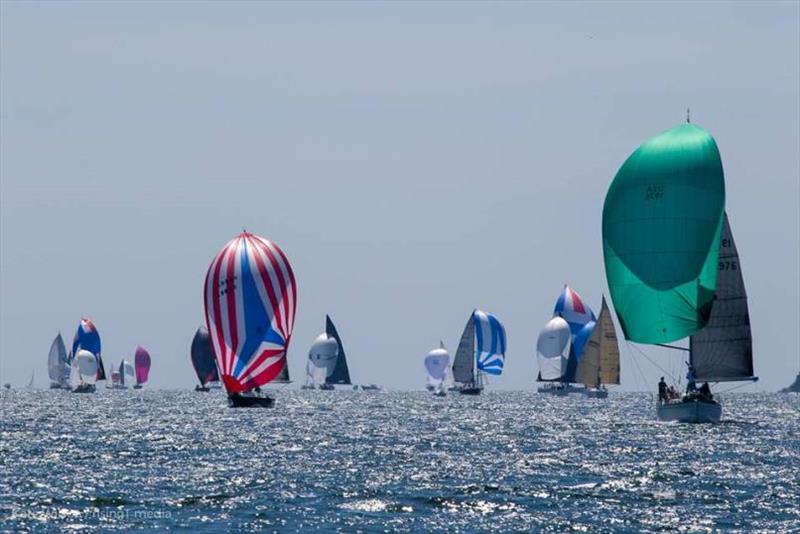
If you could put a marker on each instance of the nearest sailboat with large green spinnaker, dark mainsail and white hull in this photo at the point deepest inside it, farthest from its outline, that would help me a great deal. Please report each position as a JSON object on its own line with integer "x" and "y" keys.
{"x": 672, "y": 267}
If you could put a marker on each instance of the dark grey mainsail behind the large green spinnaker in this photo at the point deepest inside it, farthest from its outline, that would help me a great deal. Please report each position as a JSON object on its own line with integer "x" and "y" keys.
{"x": 723, "y": 350}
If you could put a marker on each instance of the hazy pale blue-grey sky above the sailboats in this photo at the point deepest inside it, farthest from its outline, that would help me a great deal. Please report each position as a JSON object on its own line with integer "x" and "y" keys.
{"x": 414, "y": 161}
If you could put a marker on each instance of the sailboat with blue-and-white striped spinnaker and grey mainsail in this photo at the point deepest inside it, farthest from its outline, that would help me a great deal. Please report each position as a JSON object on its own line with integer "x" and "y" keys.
{"x": 481, "y": 350}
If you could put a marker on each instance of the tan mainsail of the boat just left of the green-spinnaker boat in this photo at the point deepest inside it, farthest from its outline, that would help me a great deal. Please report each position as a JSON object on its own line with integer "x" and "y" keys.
{"x": 600, "y": 360}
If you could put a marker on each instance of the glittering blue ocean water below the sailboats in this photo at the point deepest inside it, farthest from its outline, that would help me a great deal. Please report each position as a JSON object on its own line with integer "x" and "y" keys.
{"x": 393, "y": 461}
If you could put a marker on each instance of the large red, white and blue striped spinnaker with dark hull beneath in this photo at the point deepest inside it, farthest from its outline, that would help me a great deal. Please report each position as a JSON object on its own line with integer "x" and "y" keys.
{"x": 250, "y": 299}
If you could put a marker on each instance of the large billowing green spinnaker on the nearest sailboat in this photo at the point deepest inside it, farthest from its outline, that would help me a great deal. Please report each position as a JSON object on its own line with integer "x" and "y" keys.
{"x": 661, "y": 229}
